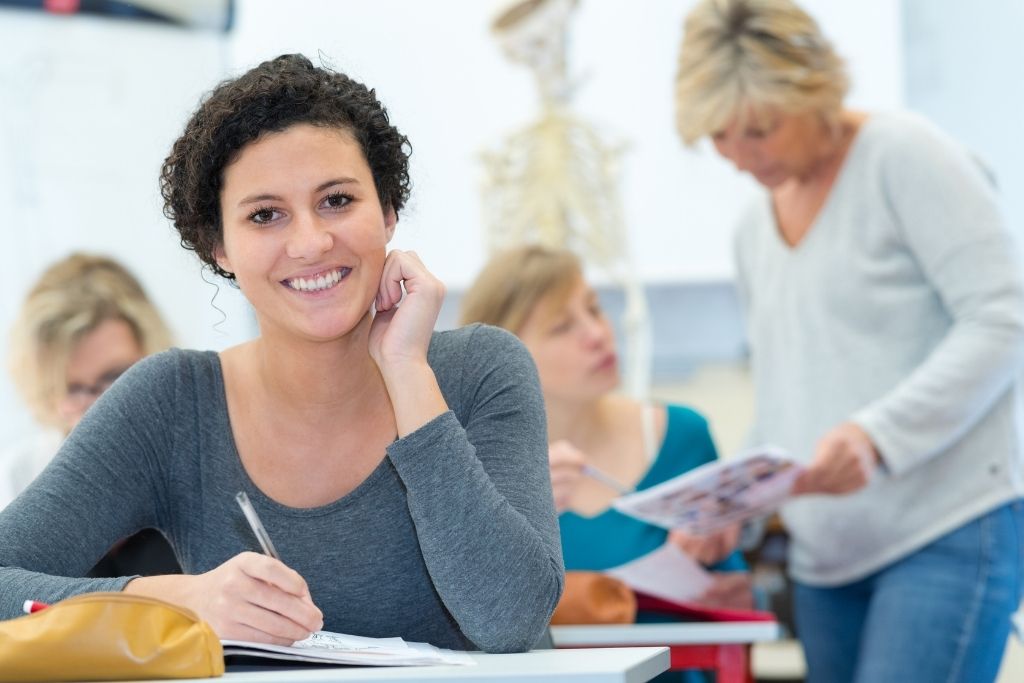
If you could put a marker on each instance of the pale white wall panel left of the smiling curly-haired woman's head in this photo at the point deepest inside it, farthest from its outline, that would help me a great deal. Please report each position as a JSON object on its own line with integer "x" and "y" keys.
{"x": 90, "y": 110}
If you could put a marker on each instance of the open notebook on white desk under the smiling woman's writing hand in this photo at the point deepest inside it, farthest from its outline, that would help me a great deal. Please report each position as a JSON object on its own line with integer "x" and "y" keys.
{"x": 328, "y": 648}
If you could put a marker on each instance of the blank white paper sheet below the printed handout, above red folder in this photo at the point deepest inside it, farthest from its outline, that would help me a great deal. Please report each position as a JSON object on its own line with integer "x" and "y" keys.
{"x": 667, "y": 573}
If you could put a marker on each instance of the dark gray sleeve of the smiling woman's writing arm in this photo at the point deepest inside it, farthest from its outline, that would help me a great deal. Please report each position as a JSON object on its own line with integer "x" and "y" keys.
{"x": 67, "y": 520}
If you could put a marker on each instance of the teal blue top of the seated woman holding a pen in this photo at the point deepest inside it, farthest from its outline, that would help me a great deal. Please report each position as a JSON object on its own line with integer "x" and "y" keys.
{"x": 612, "y": 539}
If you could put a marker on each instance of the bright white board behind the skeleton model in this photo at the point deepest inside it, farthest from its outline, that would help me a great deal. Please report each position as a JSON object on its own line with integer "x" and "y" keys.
{"x": 451, "y": 91}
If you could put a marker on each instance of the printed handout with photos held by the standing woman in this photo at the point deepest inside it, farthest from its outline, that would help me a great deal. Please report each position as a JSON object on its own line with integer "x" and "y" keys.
{"x": 719, "y": 494}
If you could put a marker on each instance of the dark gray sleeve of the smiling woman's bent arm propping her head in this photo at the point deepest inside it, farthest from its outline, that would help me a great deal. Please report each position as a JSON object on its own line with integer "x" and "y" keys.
{"x": 480, "y": 495}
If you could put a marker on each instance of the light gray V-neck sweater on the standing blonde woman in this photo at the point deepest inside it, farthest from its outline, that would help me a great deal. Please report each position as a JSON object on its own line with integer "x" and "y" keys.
{"x": 903, "y": 311}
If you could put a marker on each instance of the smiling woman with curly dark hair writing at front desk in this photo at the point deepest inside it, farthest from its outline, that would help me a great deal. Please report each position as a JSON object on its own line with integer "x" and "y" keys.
{"x": 402, "y": 475}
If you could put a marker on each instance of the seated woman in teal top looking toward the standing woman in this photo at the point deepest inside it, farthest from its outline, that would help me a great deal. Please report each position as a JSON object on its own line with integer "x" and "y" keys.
{"x": 603, "y": 444}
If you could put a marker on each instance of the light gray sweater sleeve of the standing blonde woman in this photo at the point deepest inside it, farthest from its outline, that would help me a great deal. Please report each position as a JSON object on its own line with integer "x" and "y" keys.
{"x": 950, "y": 220}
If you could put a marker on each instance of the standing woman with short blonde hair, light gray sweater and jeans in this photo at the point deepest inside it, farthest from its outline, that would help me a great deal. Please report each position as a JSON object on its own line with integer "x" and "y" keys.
{"x": 885, "y": 310}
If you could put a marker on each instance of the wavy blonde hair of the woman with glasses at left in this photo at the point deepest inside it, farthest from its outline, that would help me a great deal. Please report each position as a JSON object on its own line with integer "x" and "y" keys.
{"x": 71, "y": 300}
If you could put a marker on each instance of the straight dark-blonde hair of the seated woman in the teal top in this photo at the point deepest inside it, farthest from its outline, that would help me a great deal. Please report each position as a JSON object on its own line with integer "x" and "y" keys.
{"x": 516, "y": 283}
